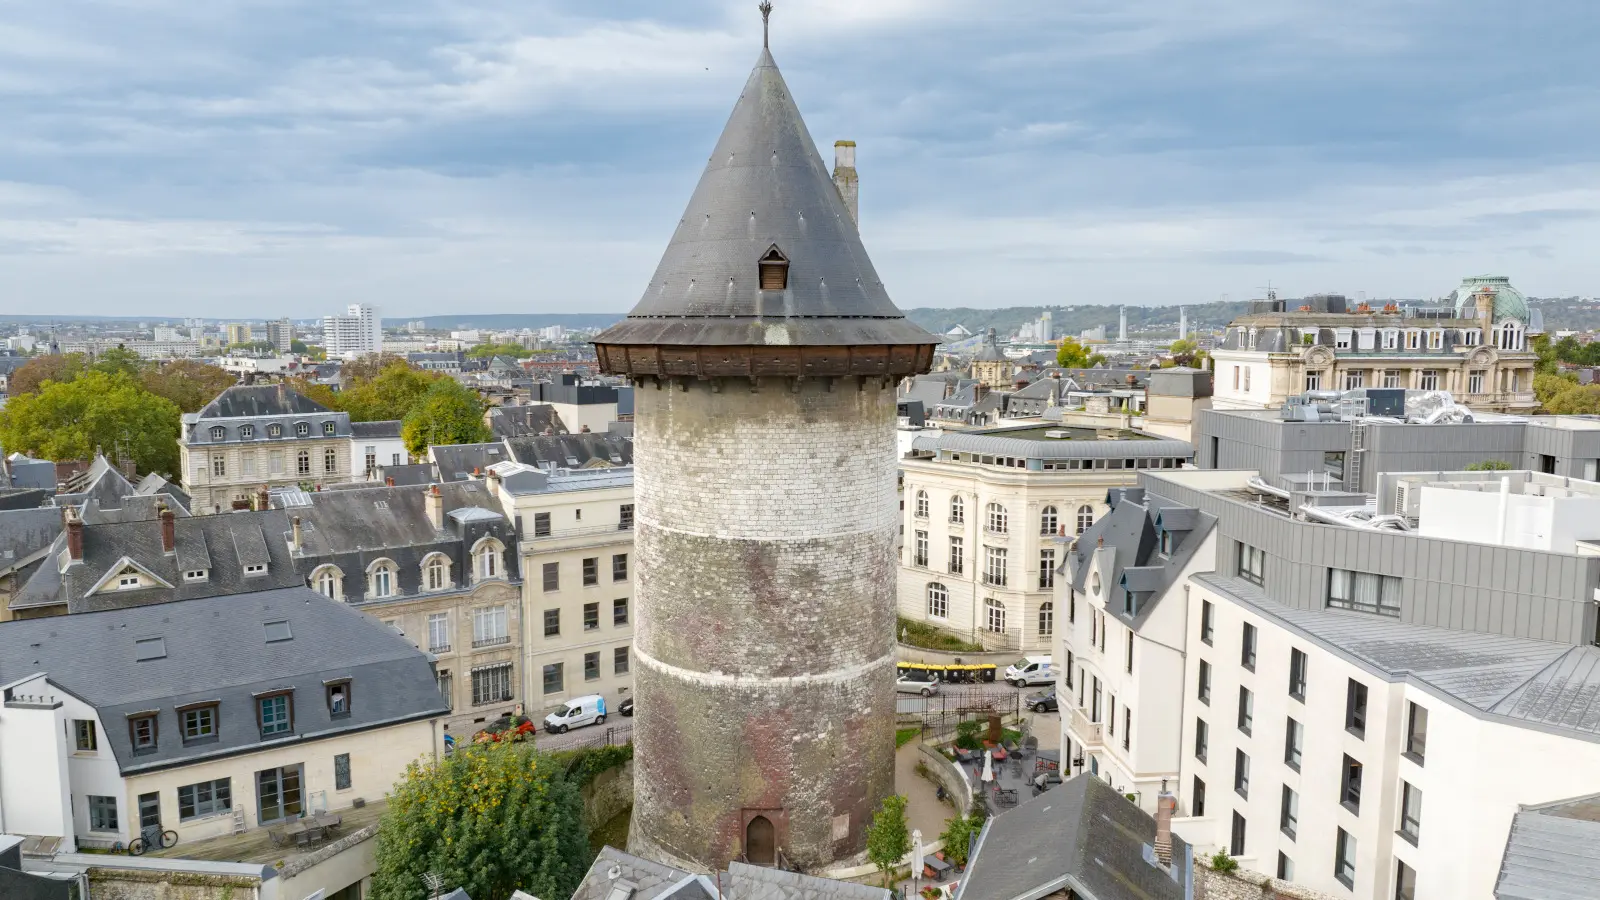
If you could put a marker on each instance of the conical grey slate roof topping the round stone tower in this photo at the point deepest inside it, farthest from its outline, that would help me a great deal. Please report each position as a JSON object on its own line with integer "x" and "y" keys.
{"x": 764, "y": 188}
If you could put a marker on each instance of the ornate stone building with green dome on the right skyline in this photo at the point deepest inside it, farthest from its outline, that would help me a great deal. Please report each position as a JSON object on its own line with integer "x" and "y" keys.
{"x": 1476, "y": 347}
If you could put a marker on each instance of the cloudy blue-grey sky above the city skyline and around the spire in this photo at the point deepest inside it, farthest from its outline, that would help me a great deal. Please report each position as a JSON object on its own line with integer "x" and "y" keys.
{"x": 252, "y": 158}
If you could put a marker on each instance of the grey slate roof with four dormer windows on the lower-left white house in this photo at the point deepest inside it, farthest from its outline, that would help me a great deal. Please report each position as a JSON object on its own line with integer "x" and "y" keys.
{"x": 217, "y": 651}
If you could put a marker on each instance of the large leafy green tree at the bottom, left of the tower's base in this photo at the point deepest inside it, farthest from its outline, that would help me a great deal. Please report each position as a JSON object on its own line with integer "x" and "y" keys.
{"x": 490, "y": 819}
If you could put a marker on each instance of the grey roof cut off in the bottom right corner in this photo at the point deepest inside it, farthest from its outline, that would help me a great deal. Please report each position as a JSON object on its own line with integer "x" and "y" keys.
{"x": 1551, "y": 853}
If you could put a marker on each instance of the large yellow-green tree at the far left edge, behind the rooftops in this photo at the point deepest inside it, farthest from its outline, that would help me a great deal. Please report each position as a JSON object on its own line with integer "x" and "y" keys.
{"x": 95, "y": 414}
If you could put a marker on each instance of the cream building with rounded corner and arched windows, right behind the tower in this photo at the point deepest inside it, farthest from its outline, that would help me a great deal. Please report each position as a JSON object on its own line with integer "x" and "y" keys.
{"x": 983, "y": 512}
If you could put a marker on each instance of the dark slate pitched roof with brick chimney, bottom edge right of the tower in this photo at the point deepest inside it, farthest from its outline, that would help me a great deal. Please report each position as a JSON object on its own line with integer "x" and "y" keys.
{"x": 1081, "y": 837}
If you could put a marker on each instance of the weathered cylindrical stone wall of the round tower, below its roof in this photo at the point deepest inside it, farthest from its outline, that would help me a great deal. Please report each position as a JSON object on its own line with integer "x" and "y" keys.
{"x": 766, "y": 635}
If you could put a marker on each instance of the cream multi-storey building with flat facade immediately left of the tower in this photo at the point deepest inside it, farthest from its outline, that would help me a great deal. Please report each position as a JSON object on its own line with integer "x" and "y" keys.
{"x": 578, "y": 600}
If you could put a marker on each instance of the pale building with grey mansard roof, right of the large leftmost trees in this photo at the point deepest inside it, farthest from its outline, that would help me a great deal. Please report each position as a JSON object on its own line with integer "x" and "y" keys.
{"x": 254, "y": 436}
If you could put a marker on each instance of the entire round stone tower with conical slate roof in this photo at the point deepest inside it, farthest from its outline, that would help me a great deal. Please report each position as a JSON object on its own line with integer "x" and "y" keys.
{"x": 766, "y": 356}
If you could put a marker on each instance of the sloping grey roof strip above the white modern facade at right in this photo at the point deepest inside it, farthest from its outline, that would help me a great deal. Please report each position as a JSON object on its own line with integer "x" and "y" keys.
{"x": 1519, "y": 681}
